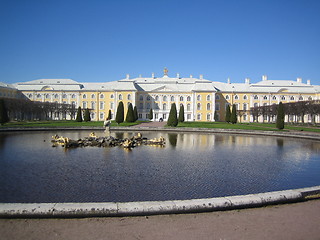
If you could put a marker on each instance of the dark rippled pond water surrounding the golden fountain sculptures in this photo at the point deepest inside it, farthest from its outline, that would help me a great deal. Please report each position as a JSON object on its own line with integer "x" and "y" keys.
{"x": 190, "y": 166}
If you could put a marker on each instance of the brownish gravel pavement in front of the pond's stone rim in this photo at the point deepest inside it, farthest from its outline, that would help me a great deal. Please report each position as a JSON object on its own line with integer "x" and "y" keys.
{"x": 288, "y": 221}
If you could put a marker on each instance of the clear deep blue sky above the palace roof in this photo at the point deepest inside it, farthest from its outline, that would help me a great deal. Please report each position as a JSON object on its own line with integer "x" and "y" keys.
{"x": 99, "y": 41}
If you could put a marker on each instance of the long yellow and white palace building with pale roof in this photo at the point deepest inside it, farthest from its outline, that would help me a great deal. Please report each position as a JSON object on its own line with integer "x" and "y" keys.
{"x": 200, "y": 97}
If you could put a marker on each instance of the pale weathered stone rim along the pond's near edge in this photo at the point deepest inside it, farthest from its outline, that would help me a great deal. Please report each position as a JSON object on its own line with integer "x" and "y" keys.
{"x": 120, "y": 209}
